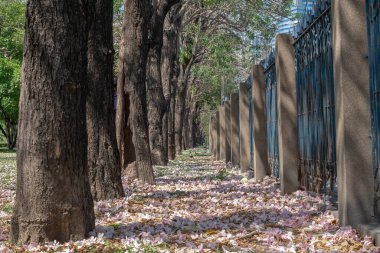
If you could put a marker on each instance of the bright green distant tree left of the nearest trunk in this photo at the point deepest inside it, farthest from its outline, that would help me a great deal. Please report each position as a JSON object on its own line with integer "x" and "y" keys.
{"x": 12, "y": 21}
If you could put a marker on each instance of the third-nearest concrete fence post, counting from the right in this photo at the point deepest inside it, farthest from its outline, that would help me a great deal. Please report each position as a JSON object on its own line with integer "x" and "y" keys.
{"x": 260, "y": 147}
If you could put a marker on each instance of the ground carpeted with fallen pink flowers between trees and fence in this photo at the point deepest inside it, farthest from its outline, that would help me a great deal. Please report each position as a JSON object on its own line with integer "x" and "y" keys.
{"x": 201, "y": 206}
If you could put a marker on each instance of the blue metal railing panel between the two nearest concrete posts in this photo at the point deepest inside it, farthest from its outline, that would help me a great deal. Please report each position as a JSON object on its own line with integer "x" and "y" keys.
{"x": 315, "y": 100}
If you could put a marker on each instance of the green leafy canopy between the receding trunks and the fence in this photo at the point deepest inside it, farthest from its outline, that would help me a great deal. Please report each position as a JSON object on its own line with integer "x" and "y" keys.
{"x": 231, "y": 36}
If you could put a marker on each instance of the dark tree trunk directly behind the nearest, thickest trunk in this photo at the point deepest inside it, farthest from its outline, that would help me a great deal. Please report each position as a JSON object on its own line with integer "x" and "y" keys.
{"x": 103, "y": 155}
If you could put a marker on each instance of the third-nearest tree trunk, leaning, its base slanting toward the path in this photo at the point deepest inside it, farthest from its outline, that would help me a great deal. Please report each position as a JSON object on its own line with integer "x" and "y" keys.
{"x": 137, "y": 21}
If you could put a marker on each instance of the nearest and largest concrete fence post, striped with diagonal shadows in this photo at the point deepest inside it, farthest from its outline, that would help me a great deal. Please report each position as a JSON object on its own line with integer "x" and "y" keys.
{"x": 352, "y": 103}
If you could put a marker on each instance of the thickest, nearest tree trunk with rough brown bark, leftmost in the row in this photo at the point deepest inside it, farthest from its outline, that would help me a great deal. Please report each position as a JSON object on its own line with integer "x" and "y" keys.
{"x": 53, "y": 198}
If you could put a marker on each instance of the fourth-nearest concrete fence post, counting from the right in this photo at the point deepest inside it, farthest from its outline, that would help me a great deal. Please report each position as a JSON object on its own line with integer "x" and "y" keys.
{"x": 244, "y": 129}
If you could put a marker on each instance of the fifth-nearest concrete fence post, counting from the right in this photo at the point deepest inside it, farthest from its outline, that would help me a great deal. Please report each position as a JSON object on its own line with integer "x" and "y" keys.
{"x": 235, "y": 143}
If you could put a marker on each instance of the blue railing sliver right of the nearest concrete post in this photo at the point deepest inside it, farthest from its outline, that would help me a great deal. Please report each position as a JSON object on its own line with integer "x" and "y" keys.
{"x": 374, "y": 66}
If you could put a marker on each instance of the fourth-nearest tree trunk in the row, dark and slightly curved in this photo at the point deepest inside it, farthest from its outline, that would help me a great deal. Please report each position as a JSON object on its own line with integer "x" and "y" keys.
{"x": 156, "y": 99}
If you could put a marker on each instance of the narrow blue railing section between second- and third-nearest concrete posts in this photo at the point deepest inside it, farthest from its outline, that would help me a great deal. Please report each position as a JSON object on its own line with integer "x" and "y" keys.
{"x": 271, "y": 112}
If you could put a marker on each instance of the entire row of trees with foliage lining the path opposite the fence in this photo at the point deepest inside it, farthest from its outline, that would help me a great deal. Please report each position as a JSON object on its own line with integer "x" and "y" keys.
{"x": 173, "y": 56}
